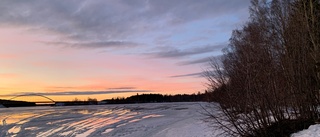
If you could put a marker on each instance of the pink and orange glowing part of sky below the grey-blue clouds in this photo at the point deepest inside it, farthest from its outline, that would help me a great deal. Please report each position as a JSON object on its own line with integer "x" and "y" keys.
{"x": 28, "y": 65}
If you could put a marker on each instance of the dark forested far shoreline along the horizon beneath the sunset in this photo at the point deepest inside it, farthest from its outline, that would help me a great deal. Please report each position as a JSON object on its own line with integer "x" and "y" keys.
{"x": 143, "y": 98}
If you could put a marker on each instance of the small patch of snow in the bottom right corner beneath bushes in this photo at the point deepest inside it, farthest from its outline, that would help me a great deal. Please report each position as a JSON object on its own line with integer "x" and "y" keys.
{"x": 312, "y": 131}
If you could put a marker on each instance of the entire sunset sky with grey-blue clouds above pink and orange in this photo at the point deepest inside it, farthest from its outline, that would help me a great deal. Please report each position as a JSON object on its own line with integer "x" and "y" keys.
{"x": 68, "y": 49}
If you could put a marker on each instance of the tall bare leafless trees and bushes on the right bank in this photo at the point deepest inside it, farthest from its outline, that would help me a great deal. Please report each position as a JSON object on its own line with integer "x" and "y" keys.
{"x": 268, "y": 80}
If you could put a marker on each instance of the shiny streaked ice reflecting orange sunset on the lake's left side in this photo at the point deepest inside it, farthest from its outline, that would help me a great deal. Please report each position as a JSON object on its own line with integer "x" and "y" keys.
{"x": 67, "y": 121}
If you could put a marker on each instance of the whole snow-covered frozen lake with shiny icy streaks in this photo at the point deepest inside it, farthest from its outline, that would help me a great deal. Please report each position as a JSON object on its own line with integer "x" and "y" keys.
{"x": 122, "y": 120}
